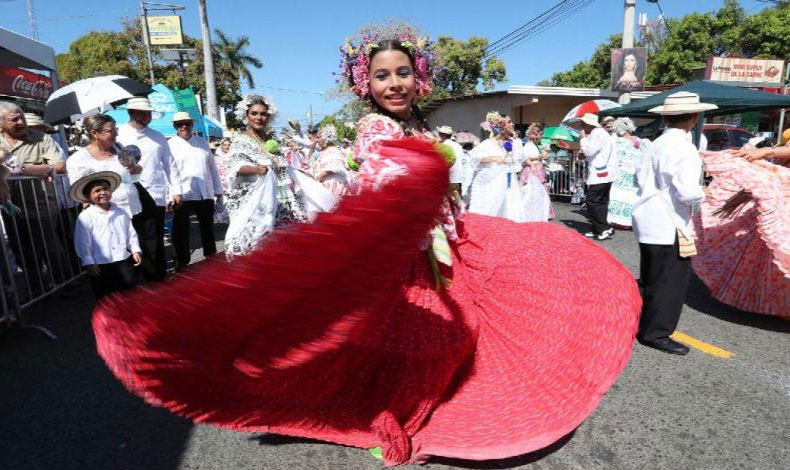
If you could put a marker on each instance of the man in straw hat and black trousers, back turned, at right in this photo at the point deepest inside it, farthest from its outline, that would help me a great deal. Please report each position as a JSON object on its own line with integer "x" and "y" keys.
{"x": 668, "y": 188}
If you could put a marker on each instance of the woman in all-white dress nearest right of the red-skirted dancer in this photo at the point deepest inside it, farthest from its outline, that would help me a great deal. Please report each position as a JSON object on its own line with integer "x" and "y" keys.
{"x": 495, "y": 189}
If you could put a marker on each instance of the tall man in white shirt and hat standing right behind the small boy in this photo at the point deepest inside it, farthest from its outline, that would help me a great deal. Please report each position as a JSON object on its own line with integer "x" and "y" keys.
{"x": 154, "y": 188}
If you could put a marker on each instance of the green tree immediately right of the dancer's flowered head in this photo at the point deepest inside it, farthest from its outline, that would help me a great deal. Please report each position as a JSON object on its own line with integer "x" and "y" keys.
{"x": 462, "y": 67}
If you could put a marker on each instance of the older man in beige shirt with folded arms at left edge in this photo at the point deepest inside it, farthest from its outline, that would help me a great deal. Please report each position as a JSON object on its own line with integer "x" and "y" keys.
{"x": 28, "y": 152}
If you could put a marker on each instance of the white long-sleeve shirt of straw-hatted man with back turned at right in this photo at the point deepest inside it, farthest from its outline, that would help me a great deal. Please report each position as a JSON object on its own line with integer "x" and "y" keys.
{"x": 668, "y": 188}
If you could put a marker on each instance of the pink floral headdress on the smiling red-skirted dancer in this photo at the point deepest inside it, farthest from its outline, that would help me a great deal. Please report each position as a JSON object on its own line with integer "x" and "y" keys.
{"x": 355, "y": 59}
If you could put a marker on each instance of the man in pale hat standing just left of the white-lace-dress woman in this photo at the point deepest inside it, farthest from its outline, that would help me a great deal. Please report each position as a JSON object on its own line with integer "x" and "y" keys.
{"x": 199, "y": 183}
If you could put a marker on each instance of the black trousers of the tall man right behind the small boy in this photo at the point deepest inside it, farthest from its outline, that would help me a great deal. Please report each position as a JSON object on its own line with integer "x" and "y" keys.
{"x": 150, "y": 227}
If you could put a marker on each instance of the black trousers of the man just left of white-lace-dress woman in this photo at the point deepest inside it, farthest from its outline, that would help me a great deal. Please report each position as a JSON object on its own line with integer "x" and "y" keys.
{"x": 204, "y": 210}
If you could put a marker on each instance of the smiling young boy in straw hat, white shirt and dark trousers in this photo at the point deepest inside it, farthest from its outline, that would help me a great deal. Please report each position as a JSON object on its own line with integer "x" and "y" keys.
{"x": 104, "y": 238}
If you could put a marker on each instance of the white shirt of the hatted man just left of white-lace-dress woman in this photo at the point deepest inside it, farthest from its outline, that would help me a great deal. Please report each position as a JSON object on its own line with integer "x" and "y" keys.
{"x": 197, "y": 173}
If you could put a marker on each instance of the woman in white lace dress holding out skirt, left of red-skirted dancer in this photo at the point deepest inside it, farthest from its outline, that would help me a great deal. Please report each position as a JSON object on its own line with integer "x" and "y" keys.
{"x": 265, "y": 192}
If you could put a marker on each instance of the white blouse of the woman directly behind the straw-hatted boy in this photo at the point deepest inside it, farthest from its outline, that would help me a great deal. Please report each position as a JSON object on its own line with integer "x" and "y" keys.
{"x": 125, "y": 197}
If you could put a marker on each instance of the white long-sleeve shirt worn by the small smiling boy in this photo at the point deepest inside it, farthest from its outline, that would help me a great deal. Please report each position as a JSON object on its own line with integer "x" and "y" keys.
{"x": 103, "y": 237}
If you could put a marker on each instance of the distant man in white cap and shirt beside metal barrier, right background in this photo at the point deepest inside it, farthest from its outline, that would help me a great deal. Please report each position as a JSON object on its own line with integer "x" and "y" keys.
{"x": 596, "y": 145}
